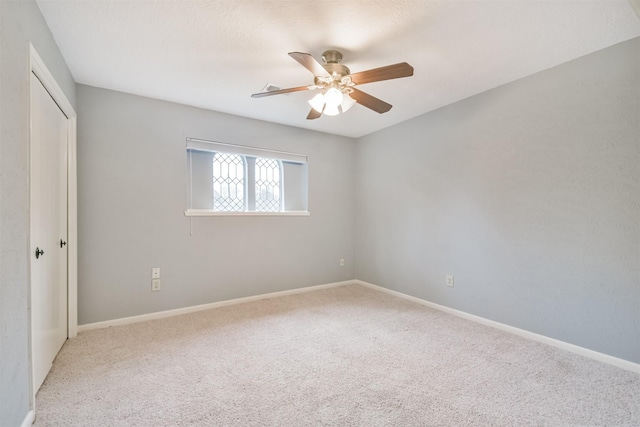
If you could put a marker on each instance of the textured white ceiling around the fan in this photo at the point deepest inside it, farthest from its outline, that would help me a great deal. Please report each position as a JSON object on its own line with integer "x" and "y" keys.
{"x": 215, "y": 54}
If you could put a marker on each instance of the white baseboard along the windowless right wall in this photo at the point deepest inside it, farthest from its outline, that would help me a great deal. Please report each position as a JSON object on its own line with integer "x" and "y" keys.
{"x": 591, "y": 354}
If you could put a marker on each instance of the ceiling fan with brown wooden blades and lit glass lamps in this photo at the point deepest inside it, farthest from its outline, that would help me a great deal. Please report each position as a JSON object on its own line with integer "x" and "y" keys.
{"x": 337, "y": 84}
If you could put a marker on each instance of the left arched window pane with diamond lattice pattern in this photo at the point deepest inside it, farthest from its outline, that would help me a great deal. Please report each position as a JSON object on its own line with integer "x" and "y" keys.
{"x": 228, "y": 182}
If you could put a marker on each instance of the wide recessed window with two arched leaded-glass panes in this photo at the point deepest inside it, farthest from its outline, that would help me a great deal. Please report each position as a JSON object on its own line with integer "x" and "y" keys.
{"x": 227, "y": 179}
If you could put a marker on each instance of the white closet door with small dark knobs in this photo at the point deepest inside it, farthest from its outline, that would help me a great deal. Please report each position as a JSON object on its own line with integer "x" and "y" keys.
{"x": 49, "y": 132}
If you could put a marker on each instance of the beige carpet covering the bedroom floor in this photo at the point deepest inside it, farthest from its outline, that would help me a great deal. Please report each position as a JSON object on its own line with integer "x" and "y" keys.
{"x": 346, "y": 356}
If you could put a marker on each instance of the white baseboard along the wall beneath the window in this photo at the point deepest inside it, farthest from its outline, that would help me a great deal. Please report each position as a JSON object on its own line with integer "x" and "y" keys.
{"x": 195, "y": 308}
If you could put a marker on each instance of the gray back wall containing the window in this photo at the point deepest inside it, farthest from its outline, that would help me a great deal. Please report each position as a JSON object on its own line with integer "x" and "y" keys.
{"x": 132, "y": 194}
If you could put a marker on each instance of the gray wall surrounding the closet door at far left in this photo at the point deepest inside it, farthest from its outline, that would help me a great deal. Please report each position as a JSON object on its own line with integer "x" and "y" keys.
{"x": 20, "y": 22}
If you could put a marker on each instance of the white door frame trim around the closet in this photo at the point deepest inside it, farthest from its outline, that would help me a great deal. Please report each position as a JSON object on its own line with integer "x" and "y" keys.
{"x": 38, "y": 67}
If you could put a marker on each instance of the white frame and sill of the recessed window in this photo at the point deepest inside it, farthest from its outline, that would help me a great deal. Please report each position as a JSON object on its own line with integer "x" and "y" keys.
{"x": 246, "y": 152}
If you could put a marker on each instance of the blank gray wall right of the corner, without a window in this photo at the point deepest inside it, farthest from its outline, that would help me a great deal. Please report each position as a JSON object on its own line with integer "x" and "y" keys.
{"x": 529, "y": 194}
